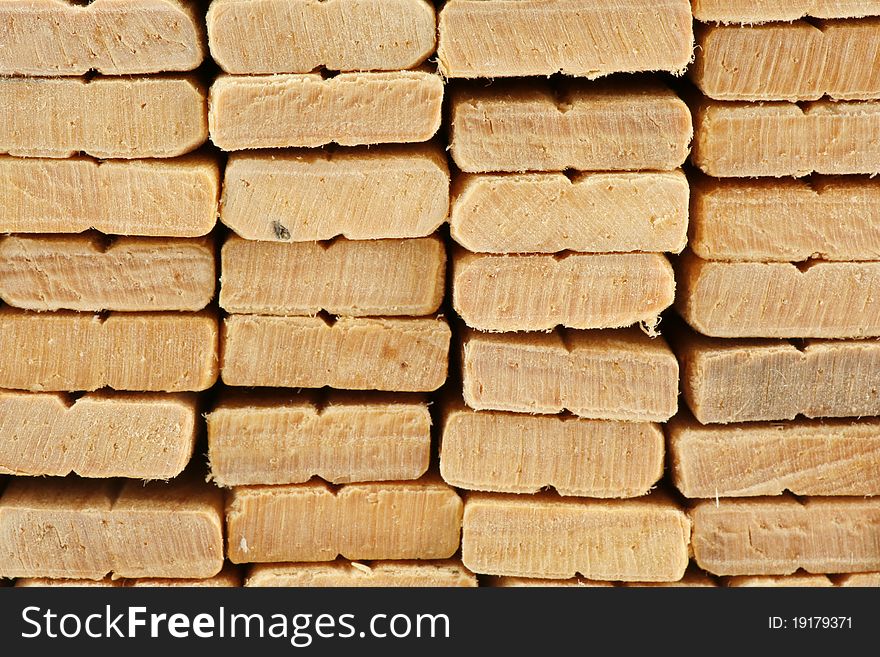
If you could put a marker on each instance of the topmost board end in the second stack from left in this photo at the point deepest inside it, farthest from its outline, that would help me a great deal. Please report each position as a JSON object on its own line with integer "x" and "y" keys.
{"x": 300, "y": 36}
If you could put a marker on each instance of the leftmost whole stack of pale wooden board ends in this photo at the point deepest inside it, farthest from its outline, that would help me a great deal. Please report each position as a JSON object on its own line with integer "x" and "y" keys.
{"x": 104, "y": 336}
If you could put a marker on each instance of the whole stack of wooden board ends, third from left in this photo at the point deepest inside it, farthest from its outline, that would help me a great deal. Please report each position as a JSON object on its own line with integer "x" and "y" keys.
{"x": 567, "y": 196}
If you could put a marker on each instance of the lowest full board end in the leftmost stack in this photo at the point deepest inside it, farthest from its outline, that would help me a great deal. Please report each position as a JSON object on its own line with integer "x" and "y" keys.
{"x": 81, "y": 529}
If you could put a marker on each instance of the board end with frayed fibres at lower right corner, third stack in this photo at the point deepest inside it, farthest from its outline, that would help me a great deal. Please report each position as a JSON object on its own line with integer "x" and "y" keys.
{"x": 540, "y": 292}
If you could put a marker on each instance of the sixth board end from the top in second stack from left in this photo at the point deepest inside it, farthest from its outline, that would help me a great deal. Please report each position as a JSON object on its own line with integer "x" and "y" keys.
{"x": 281, "y": 438}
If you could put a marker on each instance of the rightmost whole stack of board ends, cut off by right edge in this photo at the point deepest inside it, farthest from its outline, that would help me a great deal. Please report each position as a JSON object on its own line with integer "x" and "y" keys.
{"x": 780, "y": 288}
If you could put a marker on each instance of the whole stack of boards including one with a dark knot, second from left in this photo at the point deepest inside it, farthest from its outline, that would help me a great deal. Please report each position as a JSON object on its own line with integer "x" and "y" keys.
{"x": 332, "y": 281}
